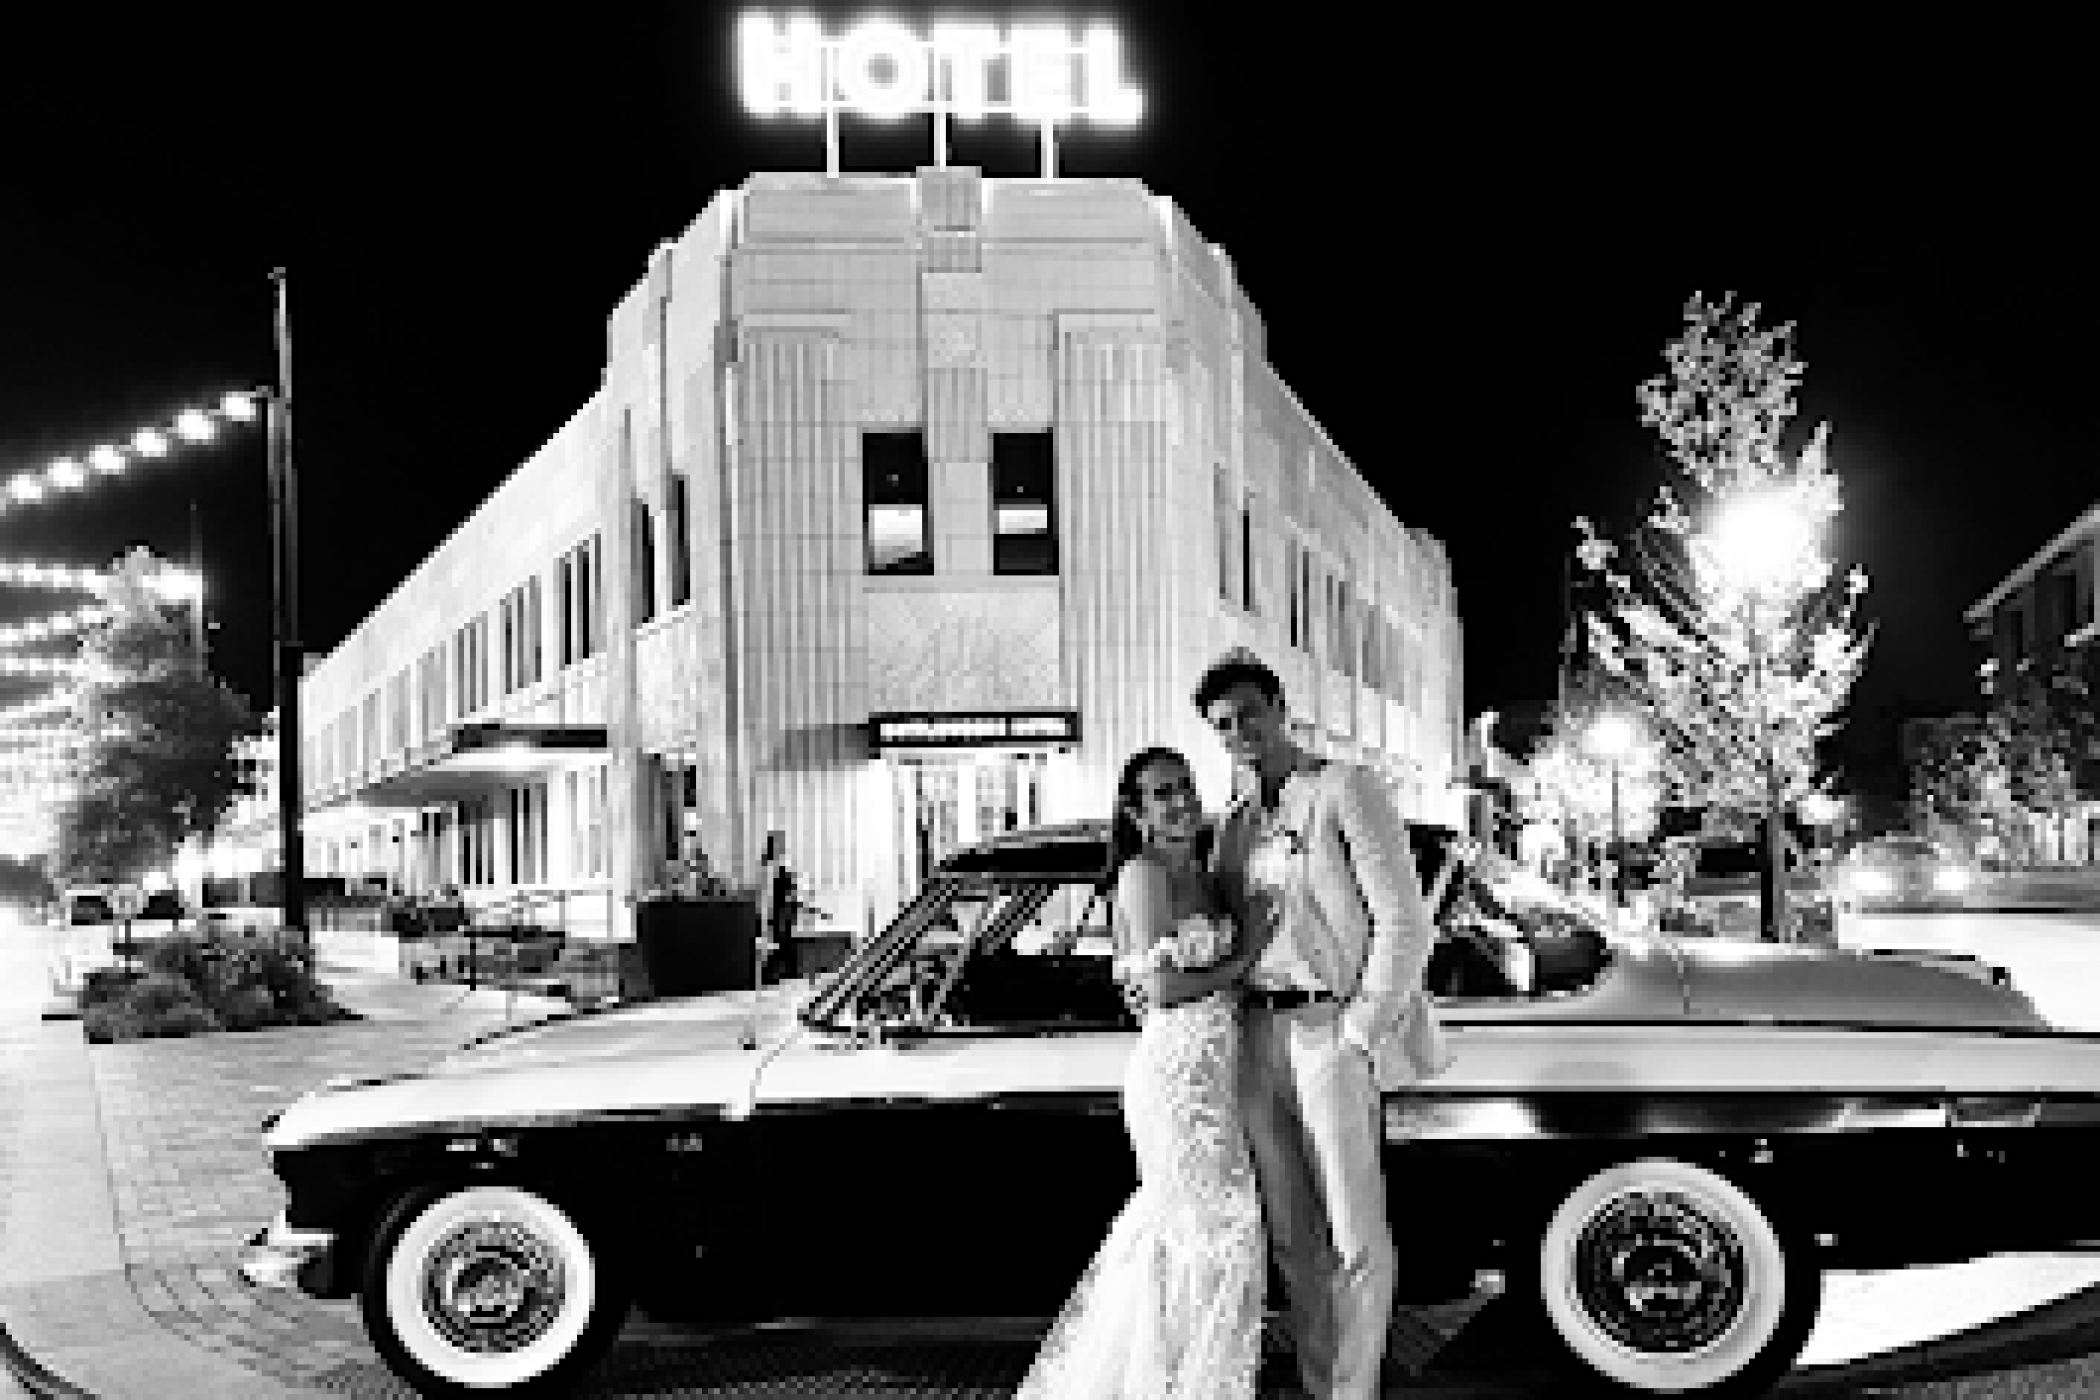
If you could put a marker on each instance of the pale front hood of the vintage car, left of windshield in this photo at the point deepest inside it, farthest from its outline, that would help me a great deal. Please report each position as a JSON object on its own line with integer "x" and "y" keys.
{"x": 684, "y": 1055}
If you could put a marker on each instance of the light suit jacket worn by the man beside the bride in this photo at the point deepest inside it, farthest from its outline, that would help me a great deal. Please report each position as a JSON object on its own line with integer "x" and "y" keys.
{"x": 1370, "y": 920}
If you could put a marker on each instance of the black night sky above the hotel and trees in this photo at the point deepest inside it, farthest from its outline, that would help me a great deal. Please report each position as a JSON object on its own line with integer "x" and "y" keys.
{"x": 1467, "y": 247}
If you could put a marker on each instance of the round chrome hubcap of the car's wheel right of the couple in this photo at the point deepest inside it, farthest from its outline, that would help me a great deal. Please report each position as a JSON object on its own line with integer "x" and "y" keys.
{"x": 1658, "y": 1273}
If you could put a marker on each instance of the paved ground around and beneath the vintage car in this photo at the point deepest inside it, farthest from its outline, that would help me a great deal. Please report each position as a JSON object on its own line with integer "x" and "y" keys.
{"x": 175, "y": 1122}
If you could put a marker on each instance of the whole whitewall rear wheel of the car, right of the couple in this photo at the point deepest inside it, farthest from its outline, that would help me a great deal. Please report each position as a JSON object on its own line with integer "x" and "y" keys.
{"x": 1664, "y": 1279}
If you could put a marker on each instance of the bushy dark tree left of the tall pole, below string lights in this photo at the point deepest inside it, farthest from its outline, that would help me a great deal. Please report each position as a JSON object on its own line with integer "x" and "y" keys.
{"x": 161, "y": 761}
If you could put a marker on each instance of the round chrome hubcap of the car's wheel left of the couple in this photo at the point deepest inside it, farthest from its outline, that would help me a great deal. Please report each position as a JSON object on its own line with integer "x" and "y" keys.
{"x": 492, "y": 1286}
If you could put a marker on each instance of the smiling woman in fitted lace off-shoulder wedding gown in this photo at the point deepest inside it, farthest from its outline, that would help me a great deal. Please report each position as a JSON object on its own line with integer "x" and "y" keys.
{"x": 1173, "y": 1302}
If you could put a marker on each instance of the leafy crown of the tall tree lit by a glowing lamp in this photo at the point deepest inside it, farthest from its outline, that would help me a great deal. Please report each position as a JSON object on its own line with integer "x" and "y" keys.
{"x": 1721, "y": 622}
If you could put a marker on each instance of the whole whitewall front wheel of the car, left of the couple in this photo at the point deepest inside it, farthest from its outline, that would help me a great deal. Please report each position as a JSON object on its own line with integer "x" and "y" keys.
{"x": 488, "y": 1290}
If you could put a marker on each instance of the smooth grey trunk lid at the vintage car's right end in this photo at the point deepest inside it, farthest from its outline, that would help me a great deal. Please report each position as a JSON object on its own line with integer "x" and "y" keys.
{"x": 1797, "y": 983}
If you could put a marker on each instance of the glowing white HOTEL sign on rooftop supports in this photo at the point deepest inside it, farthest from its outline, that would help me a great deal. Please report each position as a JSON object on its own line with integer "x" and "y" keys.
{"x": 881, "y": 68}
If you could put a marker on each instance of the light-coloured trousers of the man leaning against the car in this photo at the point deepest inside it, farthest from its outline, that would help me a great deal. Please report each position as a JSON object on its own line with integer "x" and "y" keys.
{"x": 1314, "y": 1124}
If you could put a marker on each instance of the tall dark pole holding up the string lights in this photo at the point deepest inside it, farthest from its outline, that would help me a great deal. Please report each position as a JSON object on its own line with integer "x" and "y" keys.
{"x": 285, "y": 595}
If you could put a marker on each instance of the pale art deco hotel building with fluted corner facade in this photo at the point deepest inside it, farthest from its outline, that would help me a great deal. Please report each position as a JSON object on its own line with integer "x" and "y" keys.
{"x": 906, "y": 511}
